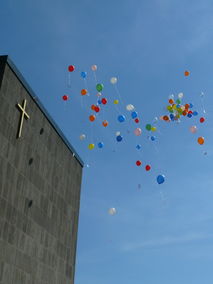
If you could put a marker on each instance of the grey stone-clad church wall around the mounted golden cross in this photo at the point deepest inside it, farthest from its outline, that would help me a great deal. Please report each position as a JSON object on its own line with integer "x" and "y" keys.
{"x": 40, "y": 181}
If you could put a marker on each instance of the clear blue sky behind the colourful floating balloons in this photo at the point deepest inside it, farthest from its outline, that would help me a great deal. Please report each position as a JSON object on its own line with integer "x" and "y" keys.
{"x": 160, "y": 233}
